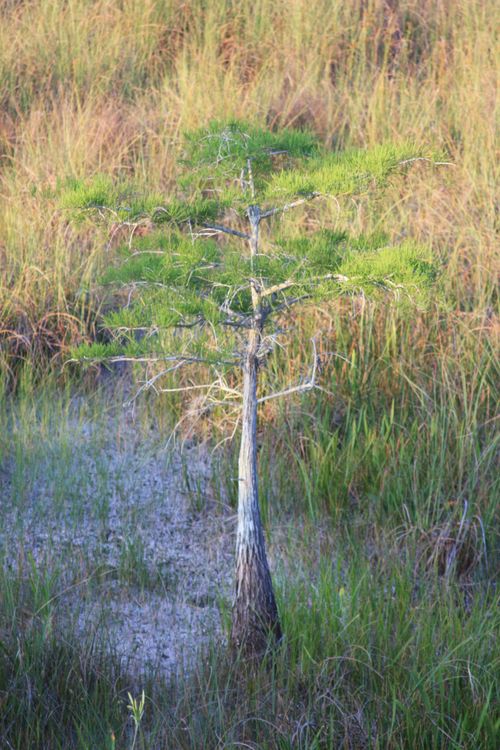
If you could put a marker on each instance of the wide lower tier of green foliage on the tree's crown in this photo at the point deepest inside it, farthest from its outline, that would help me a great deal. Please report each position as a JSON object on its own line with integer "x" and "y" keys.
{"x": 199, "y": 284}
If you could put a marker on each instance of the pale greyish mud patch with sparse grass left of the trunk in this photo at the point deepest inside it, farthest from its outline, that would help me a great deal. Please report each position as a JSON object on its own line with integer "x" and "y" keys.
{"x": 144, "y": 562}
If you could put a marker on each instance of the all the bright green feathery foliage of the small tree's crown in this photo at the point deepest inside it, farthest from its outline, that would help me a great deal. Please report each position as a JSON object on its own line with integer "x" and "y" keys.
{"x": 175, "y": 279}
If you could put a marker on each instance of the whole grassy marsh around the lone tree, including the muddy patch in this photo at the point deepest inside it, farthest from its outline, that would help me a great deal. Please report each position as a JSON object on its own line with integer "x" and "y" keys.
{"x": 378, "y": 495}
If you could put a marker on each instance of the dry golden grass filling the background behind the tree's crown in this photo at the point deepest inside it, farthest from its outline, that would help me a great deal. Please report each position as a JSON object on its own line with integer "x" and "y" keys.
{"x": 101, "y": 86}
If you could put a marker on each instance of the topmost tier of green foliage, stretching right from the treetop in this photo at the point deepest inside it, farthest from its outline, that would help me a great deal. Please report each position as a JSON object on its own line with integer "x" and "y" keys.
{"x": 285, "y": 164}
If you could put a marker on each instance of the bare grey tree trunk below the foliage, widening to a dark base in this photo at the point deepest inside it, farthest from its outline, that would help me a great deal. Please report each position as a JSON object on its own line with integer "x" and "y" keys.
{"x": 255, "y": 616}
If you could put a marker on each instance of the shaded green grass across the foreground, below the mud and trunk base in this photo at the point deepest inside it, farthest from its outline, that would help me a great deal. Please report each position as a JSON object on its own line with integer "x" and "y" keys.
{"x": 374, "y": 657}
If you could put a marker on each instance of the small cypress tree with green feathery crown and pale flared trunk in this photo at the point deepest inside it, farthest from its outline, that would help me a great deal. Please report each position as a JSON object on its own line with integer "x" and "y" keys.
{"x": 227, "y": 296}
